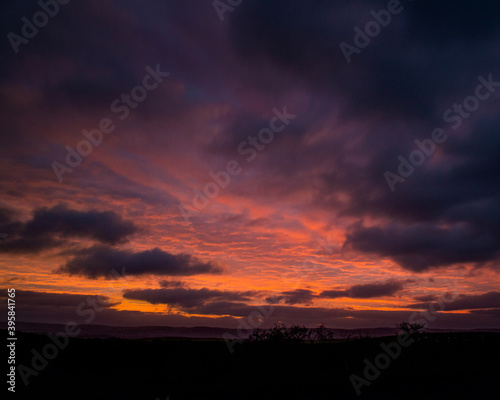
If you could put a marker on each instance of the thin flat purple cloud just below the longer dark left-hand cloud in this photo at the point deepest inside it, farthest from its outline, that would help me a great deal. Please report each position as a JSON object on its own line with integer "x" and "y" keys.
{"x": 185, "y": 298}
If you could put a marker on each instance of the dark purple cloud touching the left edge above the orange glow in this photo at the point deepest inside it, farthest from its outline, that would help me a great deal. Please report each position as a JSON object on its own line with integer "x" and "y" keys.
{"x": 51, "y": 227}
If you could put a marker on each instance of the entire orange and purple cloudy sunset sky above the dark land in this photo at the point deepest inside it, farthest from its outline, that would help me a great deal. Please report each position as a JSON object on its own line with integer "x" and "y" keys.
{"x": 251, "y": 160}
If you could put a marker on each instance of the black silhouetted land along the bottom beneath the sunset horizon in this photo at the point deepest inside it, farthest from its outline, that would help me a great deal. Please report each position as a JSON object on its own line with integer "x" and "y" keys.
{"x": 441, "y": 366}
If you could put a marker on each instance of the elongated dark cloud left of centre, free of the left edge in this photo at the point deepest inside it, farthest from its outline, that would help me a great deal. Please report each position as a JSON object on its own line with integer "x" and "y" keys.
{"x": 102, "y": 261}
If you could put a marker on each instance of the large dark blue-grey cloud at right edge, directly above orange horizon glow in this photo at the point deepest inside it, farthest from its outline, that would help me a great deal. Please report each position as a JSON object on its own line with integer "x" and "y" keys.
{"x": 438, "y": 221}
